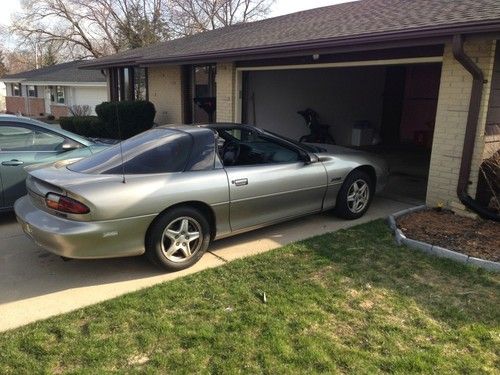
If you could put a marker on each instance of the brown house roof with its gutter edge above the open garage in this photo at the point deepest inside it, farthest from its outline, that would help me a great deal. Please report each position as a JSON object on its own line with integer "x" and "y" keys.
{"x": 336, "y": 25}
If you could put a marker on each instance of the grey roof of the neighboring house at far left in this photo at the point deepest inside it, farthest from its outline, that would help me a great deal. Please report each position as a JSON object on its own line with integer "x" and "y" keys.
{"x": 65, "y": 72}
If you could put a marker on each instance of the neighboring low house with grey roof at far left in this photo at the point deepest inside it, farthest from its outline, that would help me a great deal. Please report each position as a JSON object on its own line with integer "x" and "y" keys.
{"x": 52, "y": 90}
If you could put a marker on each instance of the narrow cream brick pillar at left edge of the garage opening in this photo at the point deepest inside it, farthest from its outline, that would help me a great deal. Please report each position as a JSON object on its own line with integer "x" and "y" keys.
{"x": 225, "y": 92}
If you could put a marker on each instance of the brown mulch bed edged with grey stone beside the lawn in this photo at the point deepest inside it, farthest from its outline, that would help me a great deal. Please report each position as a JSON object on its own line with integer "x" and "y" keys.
{"x": 477, "y": 238}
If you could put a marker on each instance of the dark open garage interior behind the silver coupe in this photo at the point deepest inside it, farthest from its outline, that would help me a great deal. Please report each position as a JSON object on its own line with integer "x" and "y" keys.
{"x": 387, "y": 110}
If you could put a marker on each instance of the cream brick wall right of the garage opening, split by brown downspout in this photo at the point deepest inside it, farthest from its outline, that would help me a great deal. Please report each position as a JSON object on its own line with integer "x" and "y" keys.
{"x": 451, "y": 119}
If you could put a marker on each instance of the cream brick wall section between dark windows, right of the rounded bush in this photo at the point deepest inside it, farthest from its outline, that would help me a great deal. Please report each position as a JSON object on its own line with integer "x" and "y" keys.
{"x": 165, "y": 93}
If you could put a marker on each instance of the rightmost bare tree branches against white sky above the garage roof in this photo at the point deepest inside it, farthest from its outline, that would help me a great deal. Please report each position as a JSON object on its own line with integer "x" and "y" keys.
{"x": 193, "y": 16}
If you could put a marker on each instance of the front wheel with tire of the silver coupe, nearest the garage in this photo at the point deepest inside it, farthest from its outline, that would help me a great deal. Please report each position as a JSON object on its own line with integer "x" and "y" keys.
{"x": 355, "y": 195}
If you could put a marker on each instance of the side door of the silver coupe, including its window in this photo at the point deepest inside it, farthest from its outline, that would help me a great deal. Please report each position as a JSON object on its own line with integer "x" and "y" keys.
{"x": 269, "y": 181}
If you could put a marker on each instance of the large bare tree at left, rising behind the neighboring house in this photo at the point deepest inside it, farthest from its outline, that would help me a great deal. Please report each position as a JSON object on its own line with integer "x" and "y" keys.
{"x": 92, "y": 28}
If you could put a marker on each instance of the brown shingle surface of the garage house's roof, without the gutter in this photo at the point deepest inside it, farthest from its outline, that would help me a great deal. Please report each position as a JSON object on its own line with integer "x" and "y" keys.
{"x": 346, "y": 20}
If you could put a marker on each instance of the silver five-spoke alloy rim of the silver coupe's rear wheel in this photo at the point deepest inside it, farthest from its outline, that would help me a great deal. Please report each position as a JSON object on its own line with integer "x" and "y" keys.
{"x": 181, "y": 239}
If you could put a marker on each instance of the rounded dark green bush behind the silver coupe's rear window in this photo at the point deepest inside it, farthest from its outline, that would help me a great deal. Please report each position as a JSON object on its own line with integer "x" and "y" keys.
{"x": 134, "y": 117}
